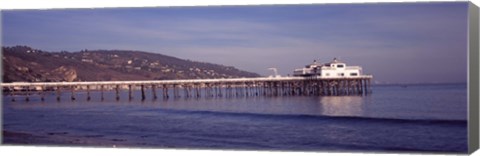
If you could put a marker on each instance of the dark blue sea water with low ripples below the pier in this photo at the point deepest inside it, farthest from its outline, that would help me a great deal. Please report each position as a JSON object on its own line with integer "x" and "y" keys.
{"x": 393, "y": 118}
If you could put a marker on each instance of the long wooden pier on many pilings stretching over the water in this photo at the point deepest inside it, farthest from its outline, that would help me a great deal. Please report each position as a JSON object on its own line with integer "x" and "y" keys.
{"x": 234, "y": 87}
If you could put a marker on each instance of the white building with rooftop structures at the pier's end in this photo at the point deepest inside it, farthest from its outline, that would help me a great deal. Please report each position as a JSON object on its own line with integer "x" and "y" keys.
{"x": 334, "y": 69}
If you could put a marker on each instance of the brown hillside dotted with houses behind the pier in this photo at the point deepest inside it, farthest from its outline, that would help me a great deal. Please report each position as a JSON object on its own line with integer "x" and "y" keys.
{"x": 22, "y": 63}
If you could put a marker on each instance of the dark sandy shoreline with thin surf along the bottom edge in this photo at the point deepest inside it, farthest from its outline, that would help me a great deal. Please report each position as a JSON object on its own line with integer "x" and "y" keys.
{"x": 60, "y": 139}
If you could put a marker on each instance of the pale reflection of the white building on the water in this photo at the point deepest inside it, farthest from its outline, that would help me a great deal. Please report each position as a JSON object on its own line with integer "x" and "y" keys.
{"x": 342, "y": 105}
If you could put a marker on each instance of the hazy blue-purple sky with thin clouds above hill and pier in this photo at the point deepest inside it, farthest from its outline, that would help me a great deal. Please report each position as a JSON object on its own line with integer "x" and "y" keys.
{"x": 395, "y": 42}
